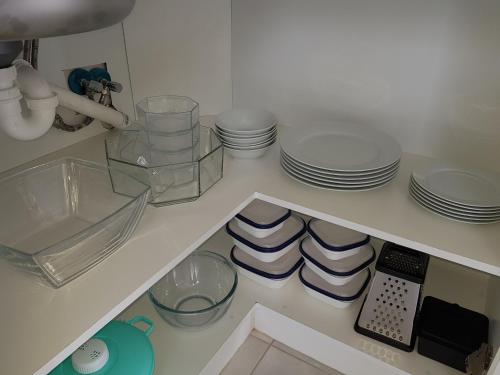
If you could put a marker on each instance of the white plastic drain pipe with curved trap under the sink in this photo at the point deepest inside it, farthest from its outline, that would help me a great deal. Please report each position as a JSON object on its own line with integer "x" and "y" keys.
{"x": 28, "y": 103}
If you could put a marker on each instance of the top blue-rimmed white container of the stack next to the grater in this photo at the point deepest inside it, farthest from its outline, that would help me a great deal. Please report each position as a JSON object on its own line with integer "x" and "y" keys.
{"x": 334, "y": 241}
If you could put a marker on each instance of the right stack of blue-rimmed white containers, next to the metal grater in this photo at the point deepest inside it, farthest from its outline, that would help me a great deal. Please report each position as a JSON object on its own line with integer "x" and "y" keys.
{"x": 336, "y": 263}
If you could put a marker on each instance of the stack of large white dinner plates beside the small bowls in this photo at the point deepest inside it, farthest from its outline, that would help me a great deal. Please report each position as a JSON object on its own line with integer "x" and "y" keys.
{"x": 340, "y": 156}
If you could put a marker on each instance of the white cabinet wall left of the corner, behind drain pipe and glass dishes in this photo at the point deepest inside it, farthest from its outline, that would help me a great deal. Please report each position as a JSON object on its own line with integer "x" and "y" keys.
{"x": 174, "y": 47}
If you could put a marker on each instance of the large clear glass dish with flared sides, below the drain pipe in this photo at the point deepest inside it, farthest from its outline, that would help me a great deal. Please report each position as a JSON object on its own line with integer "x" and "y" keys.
{"x": 62, "y": 218}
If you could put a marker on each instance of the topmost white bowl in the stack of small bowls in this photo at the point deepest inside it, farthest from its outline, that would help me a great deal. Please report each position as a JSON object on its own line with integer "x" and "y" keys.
{"x": 246, "y": 121}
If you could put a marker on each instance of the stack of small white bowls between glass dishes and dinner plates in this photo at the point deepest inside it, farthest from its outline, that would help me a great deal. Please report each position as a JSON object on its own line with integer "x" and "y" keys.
{"x": 246, "y": 133}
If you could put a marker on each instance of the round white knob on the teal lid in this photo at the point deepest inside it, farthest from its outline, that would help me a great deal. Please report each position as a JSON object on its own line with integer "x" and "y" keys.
{"x": 90, "y": 357}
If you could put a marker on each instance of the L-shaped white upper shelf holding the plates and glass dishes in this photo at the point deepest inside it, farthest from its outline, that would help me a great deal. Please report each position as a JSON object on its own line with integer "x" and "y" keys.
{"x": 47, "y": 325}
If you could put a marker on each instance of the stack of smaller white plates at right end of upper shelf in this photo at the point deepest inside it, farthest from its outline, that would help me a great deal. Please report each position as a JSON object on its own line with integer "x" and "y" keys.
{"x": 458, "y": 193}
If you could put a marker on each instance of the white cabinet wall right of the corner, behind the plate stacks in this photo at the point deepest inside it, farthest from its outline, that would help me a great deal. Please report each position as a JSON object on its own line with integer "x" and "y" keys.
{"x": 428, "y": 72}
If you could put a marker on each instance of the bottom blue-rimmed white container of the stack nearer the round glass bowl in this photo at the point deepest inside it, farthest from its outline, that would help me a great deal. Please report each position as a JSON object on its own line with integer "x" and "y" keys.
{"x": 273, "y": 275}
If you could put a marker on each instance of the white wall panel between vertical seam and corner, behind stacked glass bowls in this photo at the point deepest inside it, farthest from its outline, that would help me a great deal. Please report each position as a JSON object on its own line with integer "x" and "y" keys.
{"x": 181, "y": 47}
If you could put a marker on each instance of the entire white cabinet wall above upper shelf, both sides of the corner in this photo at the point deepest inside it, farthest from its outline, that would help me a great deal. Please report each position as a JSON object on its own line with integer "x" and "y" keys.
{"x": 426, "y": 71}
